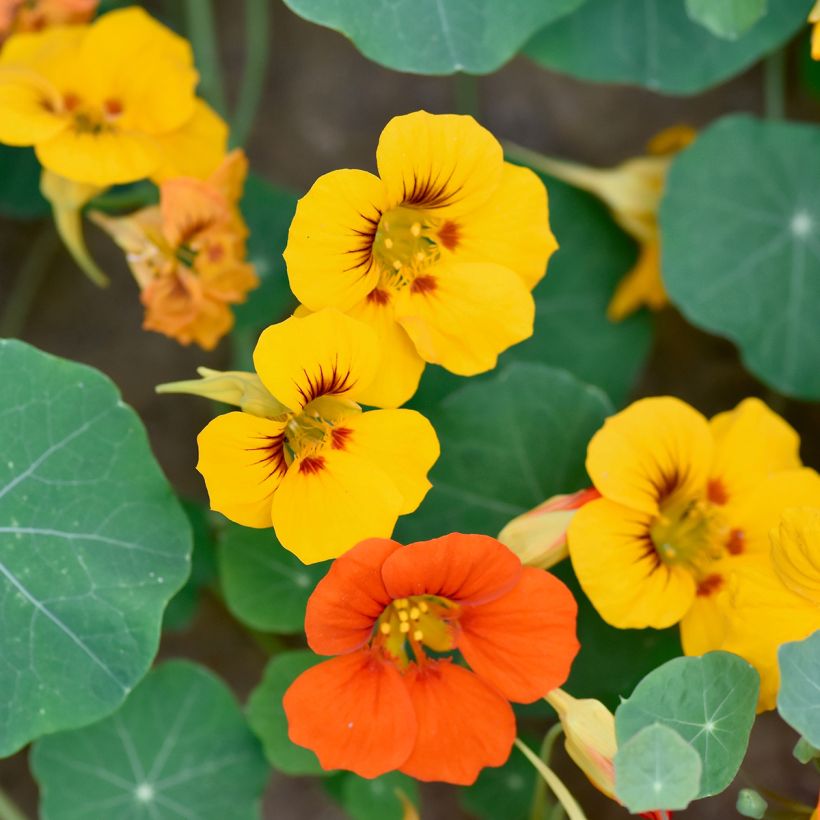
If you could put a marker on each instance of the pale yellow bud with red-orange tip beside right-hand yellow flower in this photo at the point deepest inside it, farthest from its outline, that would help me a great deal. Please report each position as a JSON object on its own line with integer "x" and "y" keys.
{"x": 539, "y": 537}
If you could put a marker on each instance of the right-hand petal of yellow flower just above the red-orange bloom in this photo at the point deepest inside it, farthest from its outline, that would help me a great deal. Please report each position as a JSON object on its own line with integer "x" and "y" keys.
{"x": 403, "y": 443}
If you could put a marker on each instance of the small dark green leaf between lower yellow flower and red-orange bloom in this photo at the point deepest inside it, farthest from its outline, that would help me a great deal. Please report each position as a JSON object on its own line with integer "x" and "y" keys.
{"x": 265, "y": 586}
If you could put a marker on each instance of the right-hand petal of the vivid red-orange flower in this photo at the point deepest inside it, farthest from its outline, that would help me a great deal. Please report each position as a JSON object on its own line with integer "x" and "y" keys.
{"x": 524, "y": 642}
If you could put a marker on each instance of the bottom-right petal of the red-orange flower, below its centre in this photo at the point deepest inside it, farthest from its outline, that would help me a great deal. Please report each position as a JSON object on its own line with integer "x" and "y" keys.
{"x": 463, "y": 724}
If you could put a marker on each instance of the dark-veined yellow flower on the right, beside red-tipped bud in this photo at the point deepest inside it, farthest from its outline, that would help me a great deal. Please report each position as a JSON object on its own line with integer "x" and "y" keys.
{"x": 685, "y": 503}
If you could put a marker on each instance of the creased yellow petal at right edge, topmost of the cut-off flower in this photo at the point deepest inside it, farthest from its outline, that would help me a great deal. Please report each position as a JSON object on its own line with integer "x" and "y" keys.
{"x": 796, "y": 551}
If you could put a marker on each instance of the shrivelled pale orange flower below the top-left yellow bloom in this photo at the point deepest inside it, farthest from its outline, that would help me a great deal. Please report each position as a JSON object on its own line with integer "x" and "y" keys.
{"x": 188, "y": 254}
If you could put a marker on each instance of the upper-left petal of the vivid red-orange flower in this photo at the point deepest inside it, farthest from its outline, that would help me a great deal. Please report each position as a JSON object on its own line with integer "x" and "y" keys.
{"x": 348, "y": 600}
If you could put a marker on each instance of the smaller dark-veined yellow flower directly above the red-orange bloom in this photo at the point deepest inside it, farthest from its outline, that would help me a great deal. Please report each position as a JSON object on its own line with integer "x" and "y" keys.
{"x": 325, "y": 474}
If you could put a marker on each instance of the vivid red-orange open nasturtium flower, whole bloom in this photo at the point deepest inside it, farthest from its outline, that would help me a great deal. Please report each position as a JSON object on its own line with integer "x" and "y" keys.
{"x": 383, "y": 702}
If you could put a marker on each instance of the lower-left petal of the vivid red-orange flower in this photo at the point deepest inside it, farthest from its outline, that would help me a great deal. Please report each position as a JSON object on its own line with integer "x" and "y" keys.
{"x": 354, "y": 712}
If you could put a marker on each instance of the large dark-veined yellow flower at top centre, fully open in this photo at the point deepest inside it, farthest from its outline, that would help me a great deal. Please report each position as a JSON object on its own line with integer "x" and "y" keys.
{"x": 438, "y": 253}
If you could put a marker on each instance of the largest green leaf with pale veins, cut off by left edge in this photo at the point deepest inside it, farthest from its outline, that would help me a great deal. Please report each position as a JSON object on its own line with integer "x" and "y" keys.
{"x": 93, "y": 544}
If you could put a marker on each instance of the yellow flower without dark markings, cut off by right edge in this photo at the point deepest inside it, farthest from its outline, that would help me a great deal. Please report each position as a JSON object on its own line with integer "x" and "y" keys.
{"x": 773, "y": 603}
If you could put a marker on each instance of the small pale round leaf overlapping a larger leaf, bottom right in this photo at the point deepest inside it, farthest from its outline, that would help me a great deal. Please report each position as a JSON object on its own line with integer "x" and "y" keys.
{"x": 656, "y": 769}
